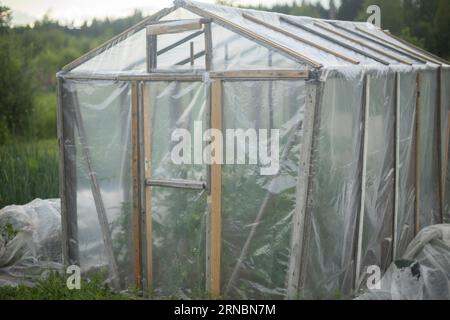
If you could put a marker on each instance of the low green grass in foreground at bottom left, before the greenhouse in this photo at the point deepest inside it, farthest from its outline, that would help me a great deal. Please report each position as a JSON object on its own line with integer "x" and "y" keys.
{"x": 54, "y": 288}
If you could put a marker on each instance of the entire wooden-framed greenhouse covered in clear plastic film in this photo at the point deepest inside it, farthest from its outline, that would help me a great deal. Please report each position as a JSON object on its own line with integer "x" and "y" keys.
{"x": 363, "y": 123}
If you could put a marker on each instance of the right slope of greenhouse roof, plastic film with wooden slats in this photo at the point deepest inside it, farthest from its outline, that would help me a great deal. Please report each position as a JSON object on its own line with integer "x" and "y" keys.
{"x": 317, "y": 42}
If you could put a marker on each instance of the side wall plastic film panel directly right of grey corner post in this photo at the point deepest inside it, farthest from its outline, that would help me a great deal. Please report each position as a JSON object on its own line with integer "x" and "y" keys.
{"x": 335, "y": 190}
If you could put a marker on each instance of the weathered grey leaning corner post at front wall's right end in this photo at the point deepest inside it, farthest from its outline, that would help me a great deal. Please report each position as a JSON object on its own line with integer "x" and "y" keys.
{"x": 302, "y": 191}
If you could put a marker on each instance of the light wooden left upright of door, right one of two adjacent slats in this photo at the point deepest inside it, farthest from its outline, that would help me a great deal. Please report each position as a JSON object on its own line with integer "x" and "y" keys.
{"x": 147, "y": 145}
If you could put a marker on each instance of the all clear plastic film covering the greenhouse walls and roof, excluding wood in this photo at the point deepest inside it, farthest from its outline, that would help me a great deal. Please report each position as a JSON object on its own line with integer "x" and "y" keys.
{"x": 257, "y": 209}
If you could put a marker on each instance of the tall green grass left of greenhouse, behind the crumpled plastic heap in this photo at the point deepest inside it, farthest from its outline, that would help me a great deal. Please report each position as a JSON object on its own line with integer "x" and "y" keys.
{"x": 28, "y": 171}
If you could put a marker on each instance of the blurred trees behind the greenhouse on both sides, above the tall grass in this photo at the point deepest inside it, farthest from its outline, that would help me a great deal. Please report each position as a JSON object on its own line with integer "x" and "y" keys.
{"x": 31, "y": 56}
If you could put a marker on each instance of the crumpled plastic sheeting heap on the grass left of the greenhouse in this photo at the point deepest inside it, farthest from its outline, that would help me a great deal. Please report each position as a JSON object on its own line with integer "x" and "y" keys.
{"x": 30, "y": 241}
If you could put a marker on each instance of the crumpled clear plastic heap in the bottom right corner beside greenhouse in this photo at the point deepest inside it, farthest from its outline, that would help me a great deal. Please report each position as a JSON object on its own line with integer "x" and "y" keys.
{"x": 423, "y": 273}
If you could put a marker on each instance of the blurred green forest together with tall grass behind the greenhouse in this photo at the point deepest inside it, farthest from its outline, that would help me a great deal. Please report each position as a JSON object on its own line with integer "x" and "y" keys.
{"x": 30, "y": 56}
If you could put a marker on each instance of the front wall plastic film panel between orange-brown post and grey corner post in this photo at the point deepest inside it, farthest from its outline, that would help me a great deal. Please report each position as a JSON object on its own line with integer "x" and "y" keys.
{"x": 264, "y": 203}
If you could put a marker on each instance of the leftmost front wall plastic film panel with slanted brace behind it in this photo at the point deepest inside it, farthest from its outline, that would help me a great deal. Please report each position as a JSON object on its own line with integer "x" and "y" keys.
{"x": 105, "y": 111}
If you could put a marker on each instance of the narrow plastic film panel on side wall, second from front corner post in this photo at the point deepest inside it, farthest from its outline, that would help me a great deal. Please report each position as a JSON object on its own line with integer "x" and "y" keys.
{"x": 379, "y": 193}
